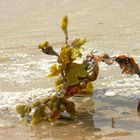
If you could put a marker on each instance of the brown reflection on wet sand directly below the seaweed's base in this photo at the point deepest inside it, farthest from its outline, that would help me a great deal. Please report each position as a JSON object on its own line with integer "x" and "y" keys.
{"x": 61, "y": 129}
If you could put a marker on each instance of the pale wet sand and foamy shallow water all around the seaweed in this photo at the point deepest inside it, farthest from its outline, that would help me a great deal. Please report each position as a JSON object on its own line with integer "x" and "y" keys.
{"x": 110, "y": 26}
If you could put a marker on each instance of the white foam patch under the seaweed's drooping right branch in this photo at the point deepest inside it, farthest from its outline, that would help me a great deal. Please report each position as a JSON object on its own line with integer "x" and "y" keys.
{"x": 126, "y": 86}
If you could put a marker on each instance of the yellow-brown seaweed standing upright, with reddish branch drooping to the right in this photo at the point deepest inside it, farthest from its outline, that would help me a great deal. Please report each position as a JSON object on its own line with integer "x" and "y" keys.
{"x": 71, "y": 78}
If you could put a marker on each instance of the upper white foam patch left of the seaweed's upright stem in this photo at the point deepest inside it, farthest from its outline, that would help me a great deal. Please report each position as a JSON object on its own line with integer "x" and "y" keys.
{"x": 25, "y": 72}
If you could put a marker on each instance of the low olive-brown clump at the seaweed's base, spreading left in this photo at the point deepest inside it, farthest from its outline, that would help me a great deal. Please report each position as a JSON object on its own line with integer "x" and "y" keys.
{"x": 50, "y": 110}
